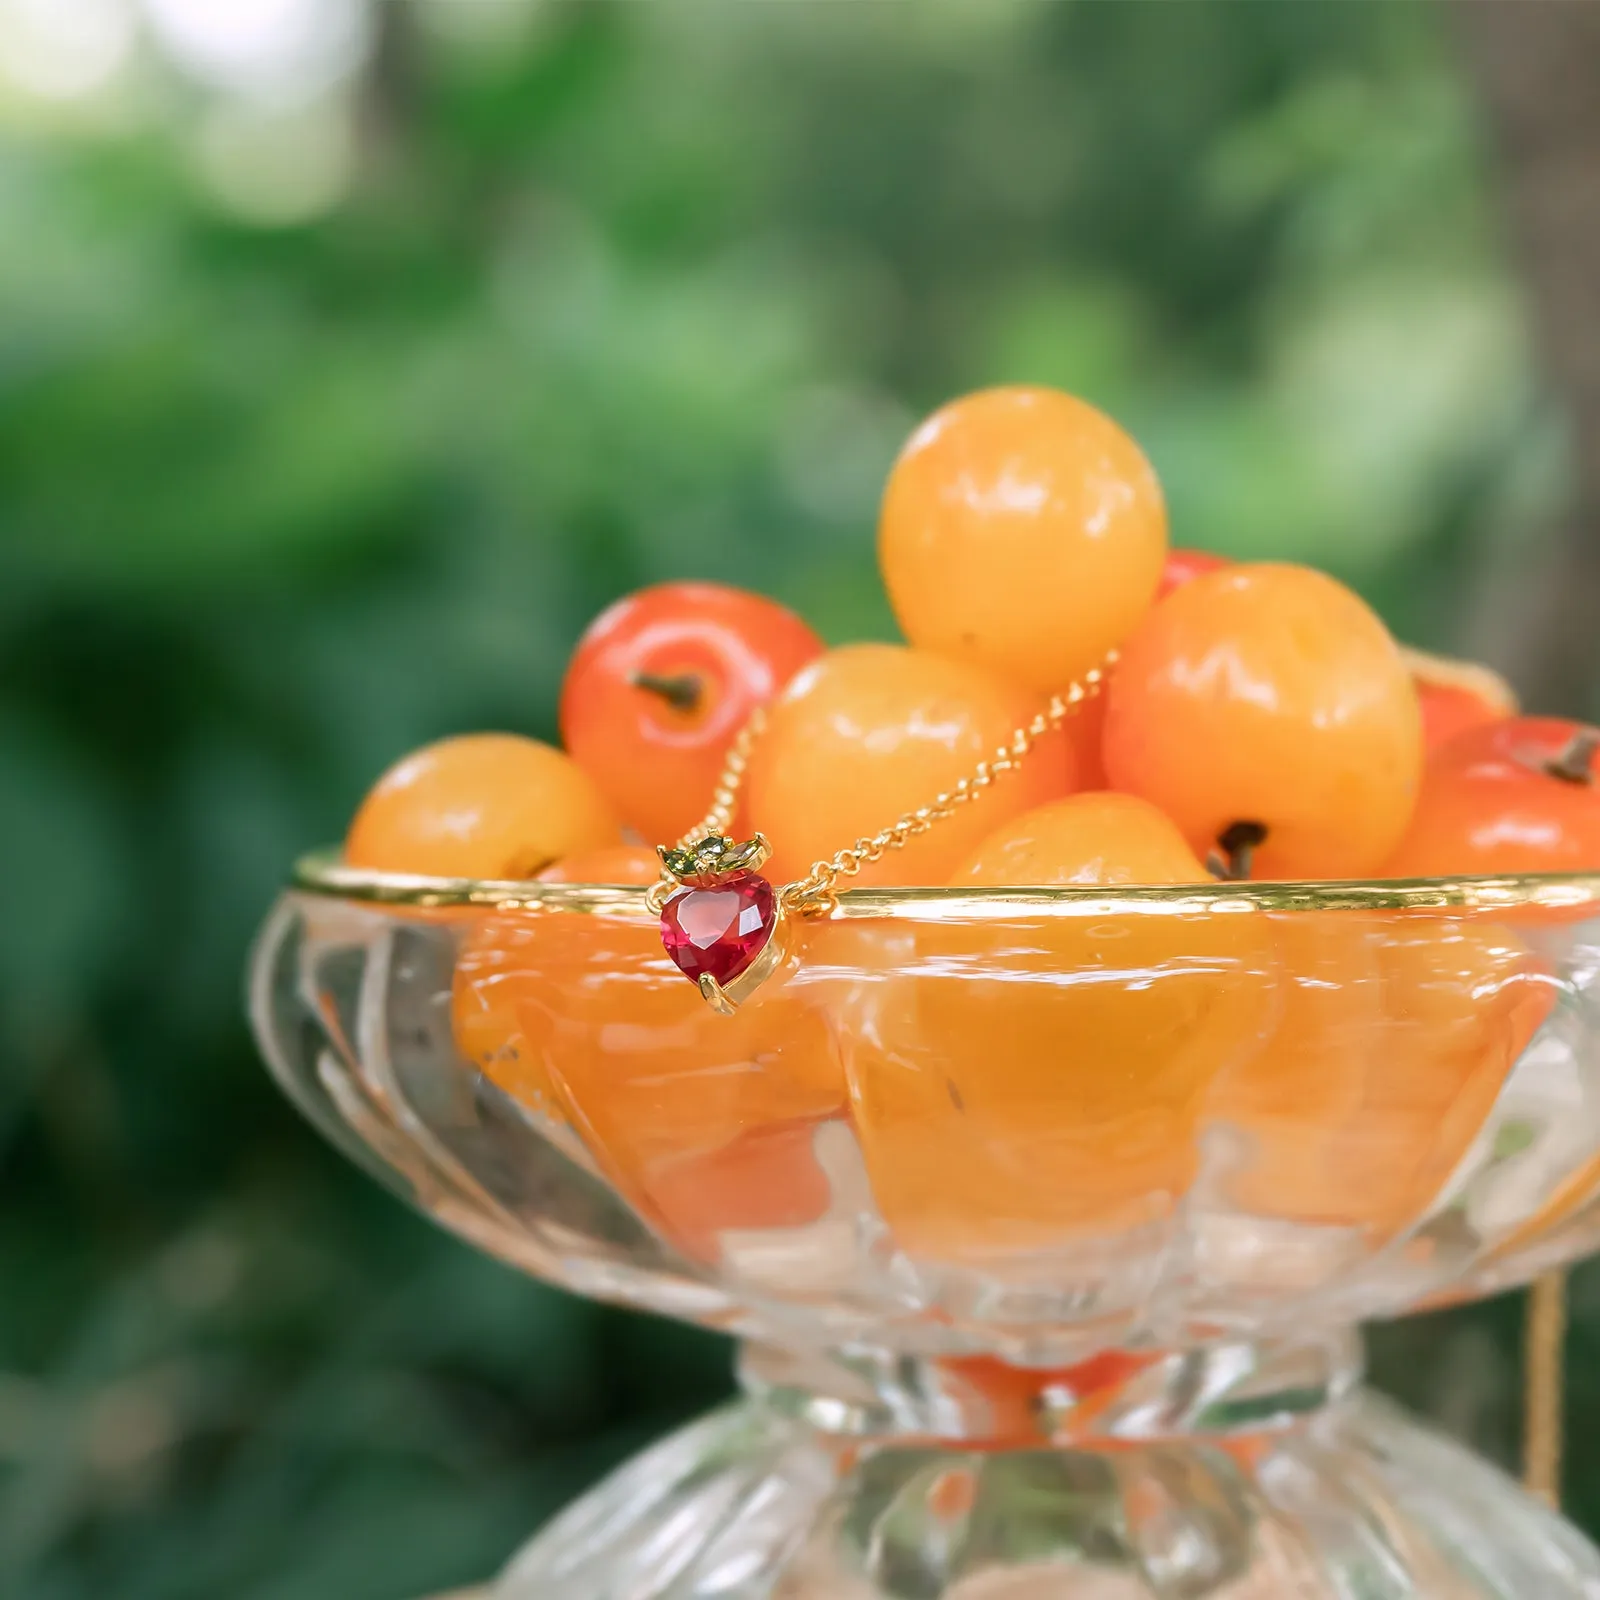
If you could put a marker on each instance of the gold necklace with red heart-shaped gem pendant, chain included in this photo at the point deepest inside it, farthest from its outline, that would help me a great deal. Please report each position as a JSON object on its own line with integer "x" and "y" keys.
{"x": 710, "y": 886}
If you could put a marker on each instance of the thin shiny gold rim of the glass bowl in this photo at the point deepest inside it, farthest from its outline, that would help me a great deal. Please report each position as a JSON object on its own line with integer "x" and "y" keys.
{"x": 326, "y": 874}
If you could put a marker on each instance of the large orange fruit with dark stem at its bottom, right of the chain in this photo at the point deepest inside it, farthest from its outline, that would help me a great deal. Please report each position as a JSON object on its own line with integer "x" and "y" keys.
{"x": 1271, "y": 695}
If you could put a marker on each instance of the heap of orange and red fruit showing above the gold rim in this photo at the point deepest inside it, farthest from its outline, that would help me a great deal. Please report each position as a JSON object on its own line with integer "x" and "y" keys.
{"x": 1262, "y": 721}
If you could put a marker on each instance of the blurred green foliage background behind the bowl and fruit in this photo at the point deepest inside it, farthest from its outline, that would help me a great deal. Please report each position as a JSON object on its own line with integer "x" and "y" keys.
{"x": 354, "y": 354}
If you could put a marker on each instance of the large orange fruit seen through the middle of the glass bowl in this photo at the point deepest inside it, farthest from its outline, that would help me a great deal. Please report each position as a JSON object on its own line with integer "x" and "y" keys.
{"x": 1023, "y": 1090}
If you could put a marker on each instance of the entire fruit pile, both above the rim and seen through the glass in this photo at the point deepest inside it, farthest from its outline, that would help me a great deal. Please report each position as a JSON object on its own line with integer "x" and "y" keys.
{"x": 1258, "y": 724}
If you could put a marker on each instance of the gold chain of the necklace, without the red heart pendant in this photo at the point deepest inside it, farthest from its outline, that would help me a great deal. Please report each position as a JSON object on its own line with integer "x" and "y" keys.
{"x": 817, "y": 894}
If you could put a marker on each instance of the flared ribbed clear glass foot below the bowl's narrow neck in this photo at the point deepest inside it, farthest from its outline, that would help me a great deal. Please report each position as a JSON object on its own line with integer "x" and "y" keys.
{"x": 1350, "y": 1502}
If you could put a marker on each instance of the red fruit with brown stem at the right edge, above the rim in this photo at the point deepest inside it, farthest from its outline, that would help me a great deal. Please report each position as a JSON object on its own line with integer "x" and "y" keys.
{"x": 1490, "y": 806}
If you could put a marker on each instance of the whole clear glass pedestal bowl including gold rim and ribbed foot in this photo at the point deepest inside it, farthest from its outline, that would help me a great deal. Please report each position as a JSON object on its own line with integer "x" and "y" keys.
{"x": 1044, "y": 1217}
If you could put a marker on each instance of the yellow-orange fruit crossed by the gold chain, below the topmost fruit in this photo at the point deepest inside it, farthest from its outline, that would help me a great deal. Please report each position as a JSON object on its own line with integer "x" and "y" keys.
{"x": 871, "y": 732}
